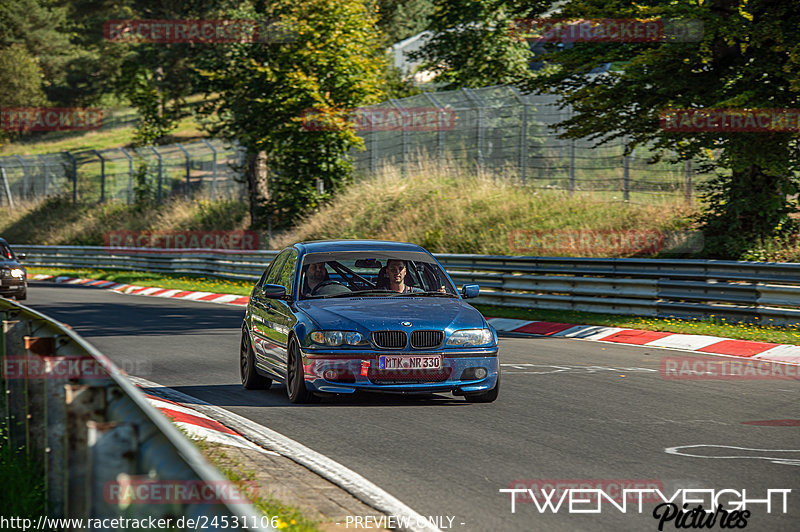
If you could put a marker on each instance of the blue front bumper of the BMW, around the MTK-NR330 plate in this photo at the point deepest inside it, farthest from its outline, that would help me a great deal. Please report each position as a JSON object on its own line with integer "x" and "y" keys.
{"x": 338, "y": 372}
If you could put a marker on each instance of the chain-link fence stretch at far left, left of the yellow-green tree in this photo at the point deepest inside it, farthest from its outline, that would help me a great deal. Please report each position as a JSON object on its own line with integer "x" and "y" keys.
{"x": 207, "y": 169}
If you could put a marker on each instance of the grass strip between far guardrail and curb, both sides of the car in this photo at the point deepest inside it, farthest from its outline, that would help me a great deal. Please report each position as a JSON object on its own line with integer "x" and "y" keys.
{"x": 713, "y": 327}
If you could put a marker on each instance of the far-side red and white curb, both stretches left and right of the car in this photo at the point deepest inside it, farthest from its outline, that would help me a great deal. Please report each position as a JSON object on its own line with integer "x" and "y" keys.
{"x": 709, "y": 345}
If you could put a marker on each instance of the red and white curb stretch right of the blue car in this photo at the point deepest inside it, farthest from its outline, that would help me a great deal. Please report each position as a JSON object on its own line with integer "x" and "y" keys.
{"x": 709, "y": 345}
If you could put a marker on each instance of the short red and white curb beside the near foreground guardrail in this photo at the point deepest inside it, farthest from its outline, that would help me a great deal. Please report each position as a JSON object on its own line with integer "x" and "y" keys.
{"x": 201, "y": 426}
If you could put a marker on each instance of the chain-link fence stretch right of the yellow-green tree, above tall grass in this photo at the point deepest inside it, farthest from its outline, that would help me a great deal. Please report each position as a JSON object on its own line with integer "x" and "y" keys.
{"x": 504, "y": 132}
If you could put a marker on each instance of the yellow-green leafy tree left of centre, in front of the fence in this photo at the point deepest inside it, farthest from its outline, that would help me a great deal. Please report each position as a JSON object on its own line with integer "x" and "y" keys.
{"x": 324, "y": 58}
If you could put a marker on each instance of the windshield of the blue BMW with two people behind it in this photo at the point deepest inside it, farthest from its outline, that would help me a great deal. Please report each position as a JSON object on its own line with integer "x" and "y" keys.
{"x": 372, "y": 274}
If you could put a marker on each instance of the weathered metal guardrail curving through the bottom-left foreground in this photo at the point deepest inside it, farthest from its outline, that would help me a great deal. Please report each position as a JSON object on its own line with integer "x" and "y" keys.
{"x": 93, "y": 430}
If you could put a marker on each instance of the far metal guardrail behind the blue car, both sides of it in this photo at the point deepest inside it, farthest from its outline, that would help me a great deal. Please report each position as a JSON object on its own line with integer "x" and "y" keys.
{"x": 645, "y": 287}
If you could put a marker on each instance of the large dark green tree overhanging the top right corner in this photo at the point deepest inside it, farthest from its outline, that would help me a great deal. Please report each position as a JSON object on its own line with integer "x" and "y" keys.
{"x": 746, "y": 58}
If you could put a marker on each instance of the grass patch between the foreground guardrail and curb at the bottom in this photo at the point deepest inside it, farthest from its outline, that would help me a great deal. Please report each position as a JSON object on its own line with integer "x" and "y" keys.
{"x": 289, "y": 518}
